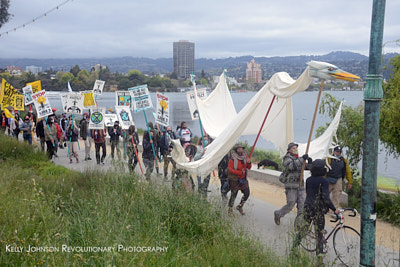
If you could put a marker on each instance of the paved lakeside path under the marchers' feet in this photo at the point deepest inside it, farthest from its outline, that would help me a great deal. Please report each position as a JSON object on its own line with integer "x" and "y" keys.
{"x": 258, "y": 221}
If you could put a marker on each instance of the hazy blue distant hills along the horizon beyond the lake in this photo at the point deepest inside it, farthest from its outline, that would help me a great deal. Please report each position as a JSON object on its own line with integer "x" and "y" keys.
{"x": 236, "y": 66}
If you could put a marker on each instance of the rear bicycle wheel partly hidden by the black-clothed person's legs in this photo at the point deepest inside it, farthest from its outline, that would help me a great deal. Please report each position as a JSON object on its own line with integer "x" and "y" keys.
{"x": 306, "y": 232}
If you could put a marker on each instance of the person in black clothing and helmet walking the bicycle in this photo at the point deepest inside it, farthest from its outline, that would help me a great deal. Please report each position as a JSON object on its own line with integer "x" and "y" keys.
{"x": 316, "y": 205}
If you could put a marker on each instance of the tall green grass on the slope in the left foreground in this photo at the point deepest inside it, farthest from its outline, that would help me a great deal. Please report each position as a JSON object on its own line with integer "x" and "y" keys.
{"x": 44, "y": 205}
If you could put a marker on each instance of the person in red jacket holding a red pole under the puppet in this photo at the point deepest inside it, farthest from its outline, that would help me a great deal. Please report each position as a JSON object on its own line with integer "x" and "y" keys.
{"x": 237, "y": 174}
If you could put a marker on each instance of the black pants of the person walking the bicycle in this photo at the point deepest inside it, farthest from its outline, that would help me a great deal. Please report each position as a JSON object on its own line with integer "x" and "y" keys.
{"x": 318, "y": 218}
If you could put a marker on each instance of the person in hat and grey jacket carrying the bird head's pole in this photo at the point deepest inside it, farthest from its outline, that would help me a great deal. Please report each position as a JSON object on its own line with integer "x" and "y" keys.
{"x": 292, "y": 165}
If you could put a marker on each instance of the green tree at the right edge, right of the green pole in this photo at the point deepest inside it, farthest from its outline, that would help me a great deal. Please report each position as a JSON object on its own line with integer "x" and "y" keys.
{"x": 389, "y": 130}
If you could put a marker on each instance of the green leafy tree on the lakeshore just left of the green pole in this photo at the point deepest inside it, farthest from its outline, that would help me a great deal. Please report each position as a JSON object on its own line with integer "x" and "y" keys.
{"x": 351, "y": 127}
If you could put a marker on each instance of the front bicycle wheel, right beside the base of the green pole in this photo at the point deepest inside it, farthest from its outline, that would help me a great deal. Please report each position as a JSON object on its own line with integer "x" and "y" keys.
{"x": 346, "y": 242}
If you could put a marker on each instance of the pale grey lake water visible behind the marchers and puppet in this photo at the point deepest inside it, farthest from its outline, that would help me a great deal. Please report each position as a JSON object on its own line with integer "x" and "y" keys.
{"x": 303, "y": 109}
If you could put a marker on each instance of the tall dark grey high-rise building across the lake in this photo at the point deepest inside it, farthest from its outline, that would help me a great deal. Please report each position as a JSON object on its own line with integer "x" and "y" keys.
{"x": 183, "y": 59}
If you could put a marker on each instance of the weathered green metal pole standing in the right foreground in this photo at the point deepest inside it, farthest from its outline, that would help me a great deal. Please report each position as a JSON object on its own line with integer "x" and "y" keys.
{"x": 372, "y": 96}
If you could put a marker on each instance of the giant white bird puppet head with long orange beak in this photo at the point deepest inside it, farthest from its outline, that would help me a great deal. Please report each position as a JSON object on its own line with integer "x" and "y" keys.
{"x": 325, "y": 70}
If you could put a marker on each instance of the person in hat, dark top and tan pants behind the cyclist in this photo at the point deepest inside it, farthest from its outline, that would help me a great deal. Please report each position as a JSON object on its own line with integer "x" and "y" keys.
{"x": 338, "y": 170}
